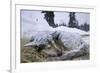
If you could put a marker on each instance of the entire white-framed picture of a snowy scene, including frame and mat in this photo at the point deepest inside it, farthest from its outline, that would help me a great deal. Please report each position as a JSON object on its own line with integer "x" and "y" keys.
{"x": 48, "y": 36}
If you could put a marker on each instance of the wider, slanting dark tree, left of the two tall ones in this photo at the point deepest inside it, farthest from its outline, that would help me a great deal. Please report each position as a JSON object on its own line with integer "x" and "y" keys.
{"x": 49, "y": 16}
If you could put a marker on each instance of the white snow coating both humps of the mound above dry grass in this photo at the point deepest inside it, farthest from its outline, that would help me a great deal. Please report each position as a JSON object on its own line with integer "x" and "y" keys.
{"x": 67, "y": 38}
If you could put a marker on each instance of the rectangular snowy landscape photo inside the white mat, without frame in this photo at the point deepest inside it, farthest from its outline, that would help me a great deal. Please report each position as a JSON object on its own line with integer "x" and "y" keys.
{"x": 47, "y": 36}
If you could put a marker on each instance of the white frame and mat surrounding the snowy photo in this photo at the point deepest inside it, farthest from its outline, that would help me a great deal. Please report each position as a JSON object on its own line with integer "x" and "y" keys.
{"x": 15, "y": 38}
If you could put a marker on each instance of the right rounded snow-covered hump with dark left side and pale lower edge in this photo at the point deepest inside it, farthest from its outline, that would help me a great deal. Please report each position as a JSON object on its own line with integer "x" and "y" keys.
{"x": 72, "y": 42}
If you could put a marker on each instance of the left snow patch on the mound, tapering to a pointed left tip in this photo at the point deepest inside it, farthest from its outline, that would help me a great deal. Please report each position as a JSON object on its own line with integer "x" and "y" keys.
{"x": 40, "y": 38}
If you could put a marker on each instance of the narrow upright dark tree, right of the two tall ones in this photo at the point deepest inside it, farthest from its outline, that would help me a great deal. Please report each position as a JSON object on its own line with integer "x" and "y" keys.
{"x": 72, "y": 20}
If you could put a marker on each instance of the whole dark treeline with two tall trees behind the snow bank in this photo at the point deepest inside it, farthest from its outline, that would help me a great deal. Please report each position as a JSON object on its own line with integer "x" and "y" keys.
{"x": 73, "y": 22}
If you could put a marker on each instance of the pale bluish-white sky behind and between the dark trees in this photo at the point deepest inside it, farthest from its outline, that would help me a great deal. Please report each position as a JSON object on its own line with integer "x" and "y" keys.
{"x": 34, "y": 20}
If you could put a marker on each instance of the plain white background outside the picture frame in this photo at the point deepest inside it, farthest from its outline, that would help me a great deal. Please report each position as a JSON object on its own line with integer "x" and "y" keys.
{"x": 5, "y": 37}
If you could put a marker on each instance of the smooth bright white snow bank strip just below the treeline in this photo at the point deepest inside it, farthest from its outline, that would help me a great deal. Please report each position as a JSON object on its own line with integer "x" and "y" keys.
{"x": 61, "y": 28}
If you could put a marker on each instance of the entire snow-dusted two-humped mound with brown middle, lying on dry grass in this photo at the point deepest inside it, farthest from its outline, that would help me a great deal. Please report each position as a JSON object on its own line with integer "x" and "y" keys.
{"x": 62, "y": 41}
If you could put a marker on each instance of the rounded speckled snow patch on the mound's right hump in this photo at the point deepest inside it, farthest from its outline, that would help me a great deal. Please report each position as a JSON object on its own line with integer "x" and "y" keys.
{"x": 70, "y": 40}
